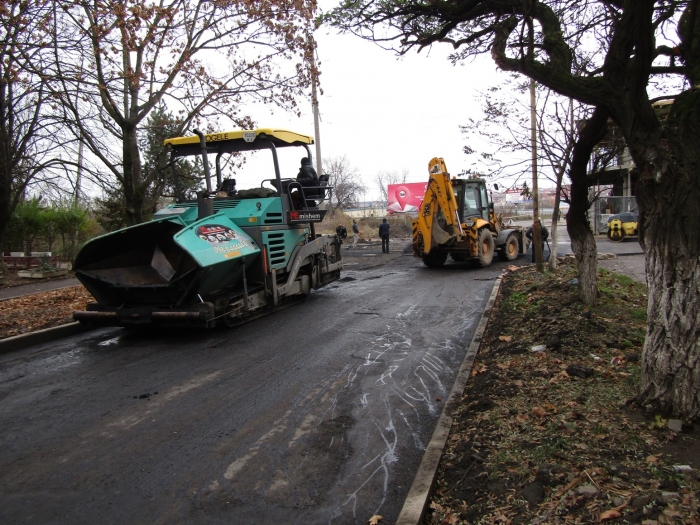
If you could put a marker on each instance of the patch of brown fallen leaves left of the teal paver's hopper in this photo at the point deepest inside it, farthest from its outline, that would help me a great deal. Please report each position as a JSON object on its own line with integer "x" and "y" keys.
{"x": 41, "y": 310}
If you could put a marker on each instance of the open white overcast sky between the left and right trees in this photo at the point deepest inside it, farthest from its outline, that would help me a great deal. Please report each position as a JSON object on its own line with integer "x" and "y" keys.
{"x": 385, "y": 114}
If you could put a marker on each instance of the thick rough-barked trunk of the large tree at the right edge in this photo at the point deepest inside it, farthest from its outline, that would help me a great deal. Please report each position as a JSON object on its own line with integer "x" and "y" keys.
{"x": 668, "y": 195}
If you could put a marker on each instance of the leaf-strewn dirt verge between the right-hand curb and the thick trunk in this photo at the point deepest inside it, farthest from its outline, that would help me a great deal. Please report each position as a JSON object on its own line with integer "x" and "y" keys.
{"x": 553, "y": 437}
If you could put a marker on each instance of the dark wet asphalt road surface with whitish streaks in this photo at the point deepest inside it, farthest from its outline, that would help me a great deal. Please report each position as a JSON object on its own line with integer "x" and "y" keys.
{"x": 315, "y": 414}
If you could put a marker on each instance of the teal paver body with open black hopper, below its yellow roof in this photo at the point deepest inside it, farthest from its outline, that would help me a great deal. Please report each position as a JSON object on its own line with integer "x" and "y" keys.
{"x": 209, "y": 261}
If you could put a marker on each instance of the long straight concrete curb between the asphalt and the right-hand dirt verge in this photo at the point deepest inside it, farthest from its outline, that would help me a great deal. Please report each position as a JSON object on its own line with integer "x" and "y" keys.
{"x": 416, "y": 503}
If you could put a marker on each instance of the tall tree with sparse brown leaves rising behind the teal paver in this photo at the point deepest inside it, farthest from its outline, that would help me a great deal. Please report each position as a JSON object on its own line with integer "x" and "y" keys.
{"x": 112, "y": 63}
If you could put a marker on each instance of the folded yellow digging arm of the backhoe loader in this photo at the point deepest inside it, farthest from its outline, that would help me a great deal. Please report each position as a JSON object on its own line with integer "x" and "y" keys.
{"x": 439, "y": 196}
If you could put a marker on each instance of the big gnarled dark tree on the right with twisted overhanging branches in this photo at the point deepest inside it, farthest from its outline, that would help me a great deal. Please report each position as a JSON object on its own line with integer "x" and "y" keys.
{"x": 611, "y": 56}
